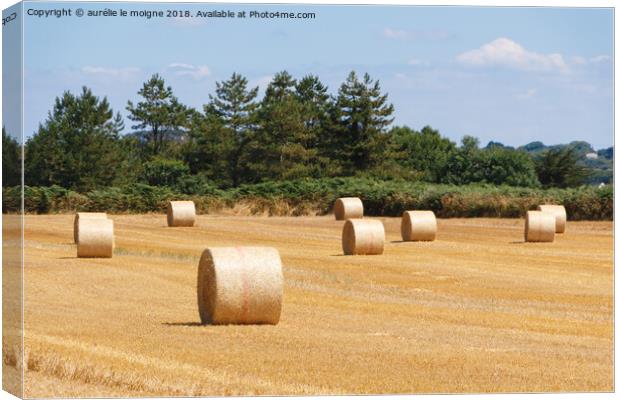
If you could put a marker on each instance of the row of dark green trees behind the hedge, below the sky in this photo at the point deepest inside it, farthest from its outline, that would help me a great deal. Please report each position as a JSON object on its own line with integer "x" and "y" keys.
{"x": 296, "y": 130}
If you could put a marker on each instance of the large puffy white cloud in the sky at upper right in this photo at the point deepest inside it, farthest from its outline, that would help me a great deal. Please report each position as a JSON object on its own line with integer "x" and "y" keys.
{"x": 508, "y": 53}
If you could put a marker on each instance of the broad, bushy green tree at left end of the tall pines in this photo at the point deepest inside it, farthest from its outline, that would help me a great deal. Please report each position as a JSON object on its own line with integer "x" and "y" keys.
{"x": 77, "y": 146}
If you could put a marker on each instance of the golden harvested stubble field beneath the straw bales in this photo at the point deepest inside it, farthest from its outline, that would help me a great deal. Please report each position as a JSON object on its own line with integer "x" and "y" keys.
{"x": 478, "y": 310}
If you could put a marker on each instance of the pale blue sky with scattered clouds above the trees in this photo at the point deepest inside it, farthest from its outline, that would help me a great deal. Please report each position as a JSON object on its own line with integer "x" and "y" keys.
{"x": 512, "y": 75}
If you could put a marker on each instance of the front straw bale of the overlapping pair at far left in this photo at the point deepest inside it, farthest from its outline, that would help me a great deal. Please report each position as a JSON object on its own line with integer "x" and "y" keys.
{"x": 96, "y": 238}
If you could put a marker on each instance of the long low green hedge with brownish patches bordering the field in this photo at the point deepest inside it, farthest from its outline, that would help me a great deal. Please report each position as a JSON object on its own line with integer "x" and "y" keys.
{"x": 309, "y": 196}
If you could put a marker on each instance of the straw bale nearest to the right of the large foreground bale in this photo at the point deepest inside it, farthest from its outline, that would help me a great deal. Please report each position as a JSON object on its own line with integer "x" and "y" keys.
{"x": 363, "y": 236}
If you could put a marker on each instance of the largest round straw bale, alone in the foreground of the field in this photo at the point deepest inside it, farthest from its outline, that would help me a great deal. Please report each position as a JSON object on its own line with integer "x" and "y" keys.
{"x": 240, "y": 285}
